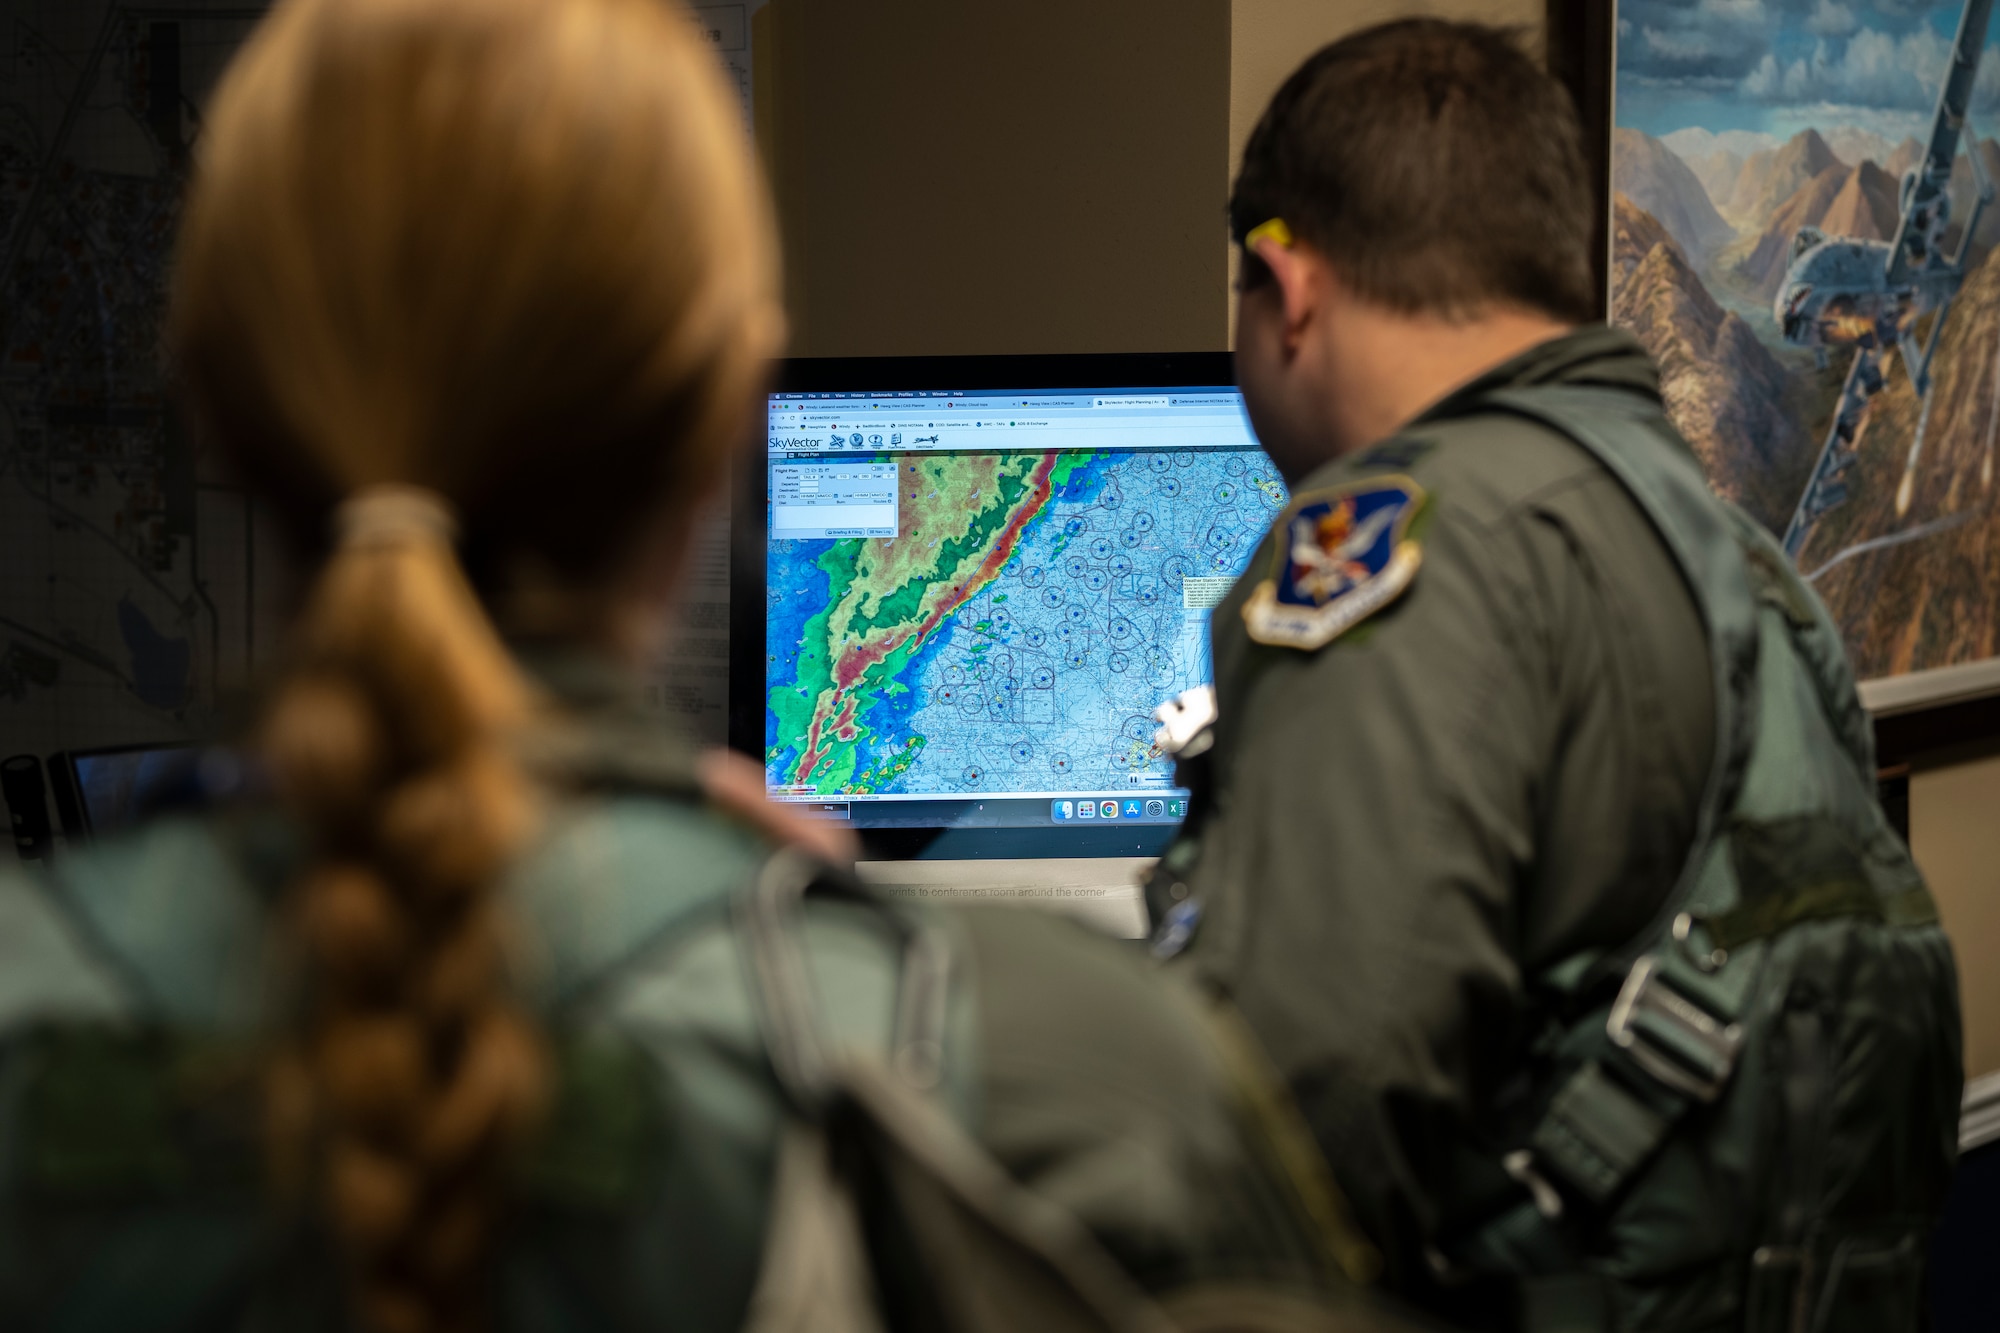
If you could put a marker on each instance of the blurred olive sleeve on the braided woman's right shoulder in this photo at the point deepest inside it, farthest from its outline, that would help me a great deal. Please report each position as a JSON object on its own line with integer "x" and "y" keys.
{"x": 1119, "y": 1094}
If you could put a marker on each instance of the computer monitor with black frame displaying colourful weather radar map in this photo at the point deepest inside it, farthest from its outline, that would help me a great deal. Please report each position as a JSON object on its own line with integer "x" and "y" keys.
{"x": 971, "y": 581}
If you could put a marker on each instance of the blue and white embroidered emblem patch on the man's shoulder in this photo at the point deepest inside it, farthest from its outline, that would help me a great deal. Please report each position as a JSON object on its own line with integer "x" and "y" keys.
{"x": 1343, "y": 555}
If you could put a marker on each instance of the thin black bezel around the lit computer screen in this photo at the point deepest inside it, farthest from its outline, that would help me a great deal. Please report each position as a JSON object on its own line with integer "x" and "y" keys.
{"x": 749, "y": 499}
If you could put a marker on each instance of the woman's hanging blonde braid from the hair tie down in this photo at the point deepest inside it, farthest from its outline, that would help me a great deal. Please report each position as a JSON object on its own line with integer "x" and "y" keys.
{"x": 415, "y": 1074}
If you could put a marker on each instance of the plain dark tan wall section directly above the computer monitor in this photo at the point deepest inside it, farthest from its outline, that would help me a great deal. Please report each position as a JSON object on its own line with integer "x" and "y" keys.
{"x": 1007, "y": 177}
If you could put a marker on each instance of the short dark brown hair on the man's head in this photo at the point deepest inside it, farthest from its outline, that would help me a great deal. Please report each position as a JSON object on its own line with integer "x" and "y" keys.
{"x": 1435, "y": 165}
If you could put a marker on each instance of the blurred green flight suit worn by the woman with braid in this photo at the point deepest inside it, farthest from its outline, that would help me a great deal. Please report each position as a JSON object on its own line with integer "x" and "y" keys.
{"x": 141, "y": 984}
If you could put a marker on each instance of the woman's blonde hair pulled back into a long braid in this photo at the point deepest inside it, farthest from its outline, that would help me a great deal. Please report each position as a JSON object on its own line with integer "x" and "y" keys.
{"x": 493, "y": 273}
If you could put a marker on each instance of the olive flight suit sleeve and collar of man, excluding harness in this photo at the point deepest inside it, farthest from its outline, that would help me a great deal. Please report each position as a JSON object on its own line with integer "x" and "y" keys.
{"x": 1395, "y": 834}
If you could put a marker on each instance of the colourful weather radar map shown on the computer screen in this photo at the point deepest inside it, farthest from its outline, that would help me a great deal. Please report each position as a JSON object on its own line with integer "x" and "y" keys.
{"x": 1017, "y": 631}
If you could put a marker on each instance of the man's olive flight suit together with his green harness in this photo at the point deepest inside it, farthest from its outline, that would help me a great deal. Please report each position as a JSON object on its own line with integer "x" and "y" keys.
{"x": 1727, "y": 1100}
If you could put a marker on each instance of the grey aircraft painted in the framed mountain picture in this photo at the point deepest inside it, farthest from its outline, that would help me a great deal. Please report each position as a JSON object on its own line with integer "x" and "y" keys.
{"x": 1871, "y": 295}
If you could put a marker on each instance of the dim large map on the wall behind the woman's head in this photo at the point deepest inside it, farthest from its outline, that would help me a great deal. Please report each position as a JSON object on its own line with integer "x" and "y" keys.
{"x": 141, "y": 589}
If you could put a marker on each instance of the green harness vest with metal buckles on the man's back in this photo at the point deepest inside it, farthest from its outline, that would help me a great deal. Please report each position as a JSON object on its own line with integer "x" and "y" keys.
{"x": 1797, "y": 1042}
